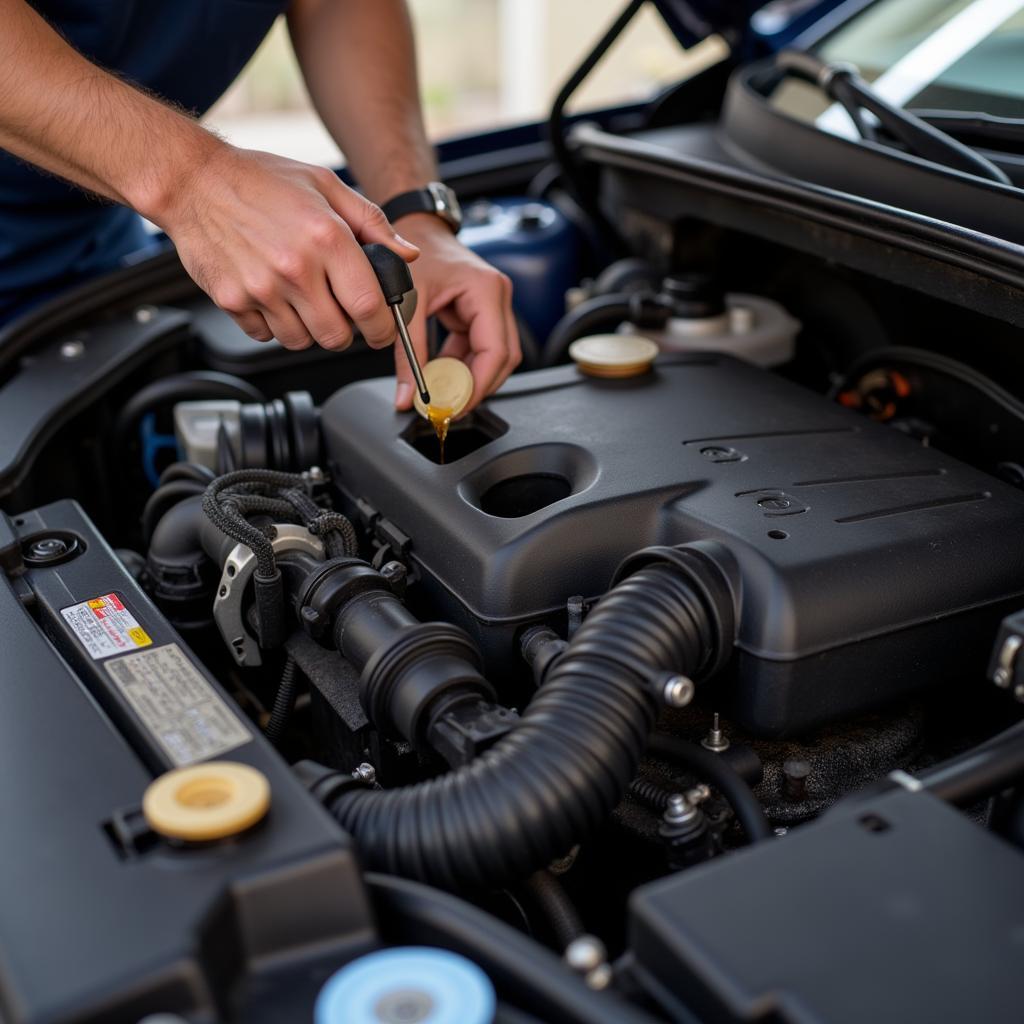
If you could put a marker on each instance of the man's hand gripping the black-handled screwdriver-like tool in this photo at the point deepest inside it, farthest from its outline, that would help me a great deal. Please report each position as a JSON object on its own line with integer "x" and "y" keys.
{"x": 277, "y": 244}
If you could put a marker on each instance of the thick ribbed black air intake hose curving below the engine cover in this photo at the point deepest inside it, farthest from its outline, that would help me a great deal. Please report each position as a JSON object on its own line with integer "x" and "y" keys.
{"x": 558, "y": 776}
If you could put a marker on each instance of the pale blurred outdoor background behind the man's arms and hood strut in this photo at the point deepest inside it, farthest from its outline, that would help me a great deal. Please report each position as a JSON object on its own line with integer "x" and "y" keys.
{"x": 484, "y": 64}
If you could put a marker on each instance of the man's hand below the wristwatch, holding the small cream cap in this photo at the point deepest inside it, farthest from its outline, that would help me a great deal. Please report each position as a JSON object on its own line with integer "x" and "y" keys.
{"x": 472, "y": 300}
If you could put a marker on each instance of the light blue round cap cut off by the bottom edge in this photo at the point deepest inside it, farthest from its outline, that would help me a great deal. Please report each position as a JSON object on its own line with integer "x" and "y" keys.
{"x": 408, "y": 986}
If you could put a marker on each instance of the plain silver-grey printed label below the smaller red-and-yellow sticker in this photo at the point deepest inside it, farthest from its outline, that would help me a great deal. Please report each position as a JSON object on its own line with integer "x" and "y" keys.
{"x": 185, "y": 714}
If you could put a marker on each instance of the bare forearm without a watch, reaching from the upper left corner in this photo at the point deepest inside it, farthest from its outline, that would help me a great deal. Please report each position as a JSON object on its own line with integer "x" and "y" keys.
{"x": 64, "y": 114}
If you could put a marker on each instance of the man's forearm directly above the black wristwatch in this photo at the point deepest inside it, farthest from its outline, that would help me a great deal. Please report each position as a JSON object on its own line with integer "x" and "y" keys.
{"x": 359, "y": 60}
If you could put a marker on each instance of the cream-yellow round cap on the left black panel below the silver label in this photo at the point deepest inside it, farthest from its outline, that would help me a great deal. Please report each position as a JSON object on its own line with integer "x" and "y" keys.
{"x": 206, "y": 802}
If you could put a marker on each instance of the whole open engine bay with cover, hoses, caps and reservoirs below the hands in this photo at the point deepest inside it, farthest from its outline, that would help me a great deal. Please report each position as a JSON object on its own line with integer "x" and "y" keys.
{"x": 655, "y": 688}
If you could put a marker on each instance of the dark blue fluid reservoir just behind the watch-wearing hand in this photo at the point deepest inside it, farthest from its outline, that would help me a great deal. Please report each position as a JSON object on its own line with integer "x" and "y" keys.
{"x": 537, "y": 246}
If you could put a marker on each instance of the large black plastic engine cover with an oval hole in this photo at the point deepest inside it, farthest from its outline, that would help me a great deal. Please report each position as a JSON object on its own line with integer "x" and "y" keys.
{"x": 865, "y": 566}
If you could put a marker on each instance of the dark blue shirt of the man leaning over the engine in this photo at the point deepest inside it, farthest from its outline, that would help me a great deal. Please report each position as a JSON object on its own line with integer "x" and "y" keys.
{"x": 190, "y": 52}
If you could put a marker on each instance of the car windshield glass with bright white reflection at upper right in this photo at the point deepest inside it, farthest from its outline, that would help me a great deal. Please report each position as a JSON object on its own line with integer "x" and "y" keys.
{"x": 937, "y": 55}
